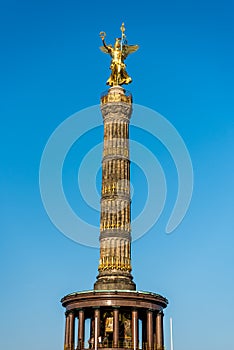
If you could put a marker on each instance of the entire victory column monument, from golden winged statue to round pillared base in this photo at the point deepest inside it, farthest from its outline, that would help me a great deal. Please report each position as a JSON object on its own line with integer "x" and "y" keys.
{"x": 114, "y": 314}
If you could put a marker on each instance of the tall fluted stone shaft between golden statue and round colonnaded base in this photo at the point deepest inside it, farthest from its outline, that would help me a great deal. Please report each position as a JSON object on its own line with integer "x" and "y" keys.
{"x": 115, "y": 222}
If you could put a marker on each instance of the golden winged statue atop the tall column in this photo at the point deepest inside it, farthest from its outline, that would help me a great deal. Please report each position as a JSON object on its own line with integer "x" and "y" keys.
{"x": 118, "y": 53}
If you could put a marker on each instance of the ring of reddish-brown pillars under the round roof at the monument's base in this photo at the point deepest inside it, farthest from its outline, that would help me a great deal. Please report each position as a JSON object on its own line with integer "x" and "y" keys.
{"x": 152, "y": 329}
